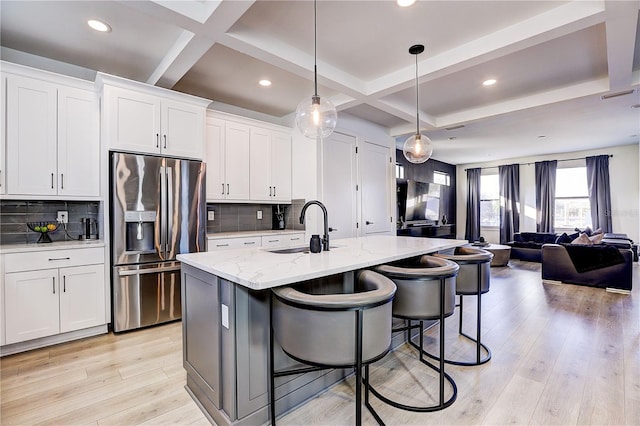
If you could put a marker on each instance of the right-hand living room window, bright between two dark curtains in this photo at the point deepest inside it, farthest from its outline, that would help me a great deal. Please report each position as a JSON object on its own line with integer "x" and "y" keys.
{"x": 572, "y": 199}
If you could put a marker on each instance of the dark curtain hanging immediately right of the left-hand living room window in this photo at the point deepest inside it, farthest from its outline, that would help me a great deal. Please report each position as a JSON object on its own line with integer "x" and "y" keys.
{"x": 509, "y": 177}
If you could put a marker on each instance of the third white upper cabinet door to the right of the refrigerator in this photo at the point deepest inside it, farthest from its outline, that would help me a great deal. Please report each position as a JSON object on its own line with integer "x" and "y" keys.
{"x": 260, "y": 165}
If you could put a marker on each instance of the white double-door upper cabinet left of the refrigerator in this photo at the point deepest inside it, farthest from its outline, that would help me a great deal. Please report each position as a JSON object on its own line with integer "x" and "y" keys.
{"x": 52, "y": 139}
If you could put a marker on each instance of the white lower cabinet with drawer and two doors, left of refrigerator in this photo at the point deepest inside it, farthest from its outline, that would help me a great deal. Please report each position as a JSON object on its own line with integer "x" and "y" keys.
{"x": 44, "y": 302}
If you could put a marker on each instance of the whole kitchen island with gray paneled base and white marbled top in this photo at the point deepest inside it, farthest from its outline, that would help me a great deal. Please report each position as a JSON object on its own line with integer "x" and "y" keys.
{"x": 225, "y": 302}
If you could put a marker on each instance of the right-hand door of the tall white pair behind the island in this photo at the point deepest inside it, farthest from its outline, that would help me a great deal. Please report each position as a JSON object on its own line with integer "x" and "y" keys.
{"x": 374, "y": 162}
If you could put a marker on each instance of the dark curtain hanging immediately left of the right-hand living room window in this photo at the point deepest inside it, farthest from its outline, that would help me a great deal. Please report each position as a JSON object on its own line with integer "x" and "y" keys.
{"x": 545, "y": 195}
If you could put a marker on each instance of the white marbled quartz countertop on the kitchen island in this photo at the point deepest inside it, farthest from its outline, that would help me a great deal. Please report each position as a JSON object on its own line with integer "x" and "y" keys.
{"x": 258, "y": 268}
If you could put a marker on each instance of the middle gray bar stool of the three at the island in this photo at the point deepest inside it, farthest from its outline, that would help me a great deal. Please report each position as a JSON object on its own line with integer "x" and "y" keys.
{"x": 426, "y": 291}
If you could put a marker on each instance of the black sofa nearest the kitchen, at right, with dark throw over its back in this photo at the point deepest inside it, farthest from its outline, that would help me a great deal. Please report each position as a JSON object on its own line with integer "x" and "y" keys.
{"x": 558, "y": 266}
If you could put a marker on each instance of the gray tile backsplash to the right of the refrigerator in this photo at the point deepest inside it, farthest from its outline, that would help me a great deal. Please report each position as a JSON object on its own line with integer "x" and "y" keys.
{"x": 243, "y": 217}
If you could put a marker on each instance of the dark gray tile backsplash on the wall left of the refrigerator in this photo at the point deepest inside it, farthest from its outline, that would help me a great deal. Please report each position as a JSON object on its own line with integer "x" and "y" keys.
{"x": 14, "y": 216}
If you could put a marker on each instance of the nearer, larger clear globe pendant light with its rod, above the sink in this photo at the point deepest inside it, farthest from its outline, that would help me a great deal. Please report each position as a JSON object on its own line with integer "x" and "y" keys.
{"x": 316, "y": 117}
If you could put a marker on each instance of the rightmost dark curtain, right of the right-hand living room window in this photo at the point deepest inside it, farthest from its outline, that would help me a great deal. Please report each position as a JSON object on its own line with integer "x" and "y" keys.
{"x": 599, "y": 192}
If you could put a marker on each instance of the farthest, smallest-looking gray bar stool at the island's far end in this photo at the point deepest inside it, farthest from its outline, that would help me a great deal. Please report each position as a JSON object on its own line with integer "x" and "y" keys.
{"x": 473, "y": 279}
